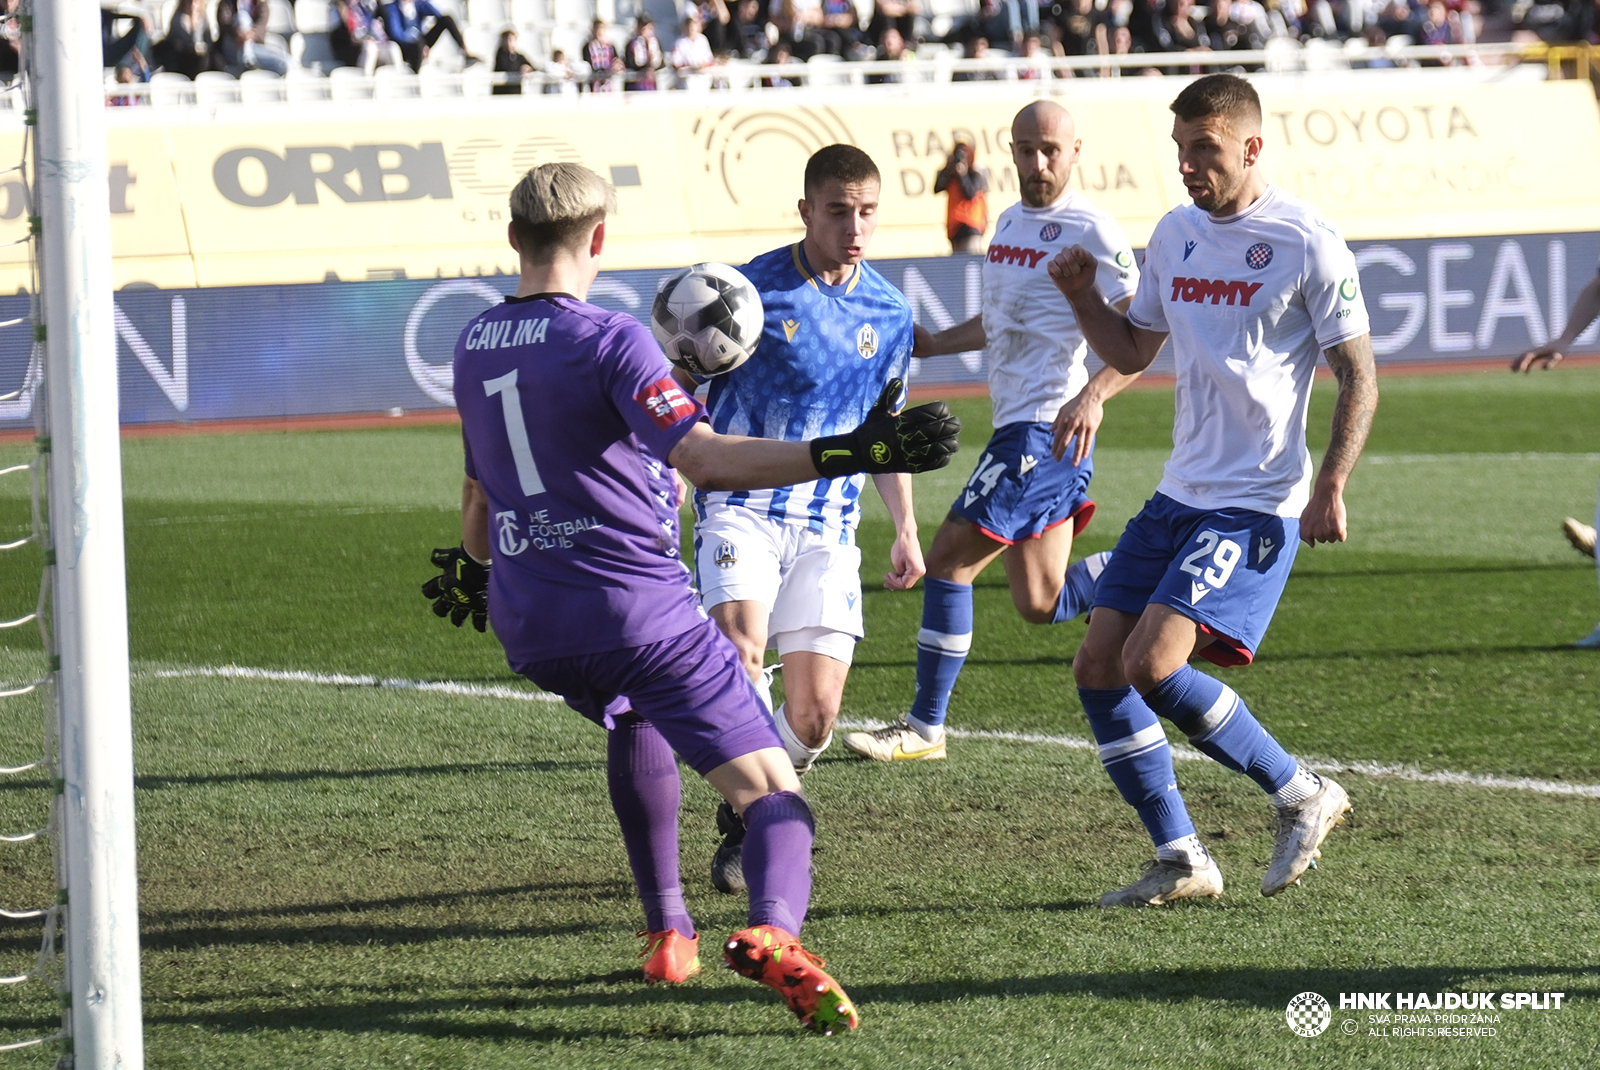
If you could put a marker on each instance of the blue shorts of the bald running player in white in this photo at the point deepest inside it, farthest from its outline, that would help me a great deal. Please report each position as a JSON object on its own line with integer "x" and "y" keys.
{"x": 1022, "y": 492}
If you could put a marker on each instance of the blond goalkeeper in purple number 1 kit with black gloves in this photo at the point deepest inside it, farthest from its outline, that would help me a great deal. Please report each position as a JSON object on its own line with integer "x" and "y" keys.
{"x": 570, "y": 421}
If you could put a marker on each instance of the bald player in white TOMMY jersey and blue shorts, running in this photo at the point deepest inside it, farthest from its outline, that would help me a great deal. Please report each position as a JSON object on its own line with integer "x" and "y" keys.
{"x": 1025, "y": 501}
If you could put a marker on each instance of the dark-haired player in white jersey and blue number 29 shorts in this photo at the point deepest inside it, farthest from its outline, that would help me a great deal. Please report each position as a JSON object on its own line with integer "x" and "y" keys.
{"x": 1250, "y": 284}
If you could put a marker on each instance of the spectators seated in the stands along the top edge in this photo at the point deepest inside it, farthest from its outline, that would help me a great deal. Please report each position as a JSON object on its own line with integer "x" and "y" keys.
{"x": 231, "y": 36}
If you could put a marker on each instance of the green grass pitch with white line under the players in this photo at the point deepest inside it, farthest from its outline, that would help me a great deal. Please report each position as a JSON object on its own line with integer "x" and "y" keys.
{"x": 358, "y": 877}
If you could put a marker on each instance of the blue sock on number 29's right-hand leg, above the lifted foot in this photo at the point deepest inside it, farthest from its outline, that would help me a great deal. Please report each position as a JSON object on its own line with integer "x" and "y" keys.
{"x": 1217, "y": 721}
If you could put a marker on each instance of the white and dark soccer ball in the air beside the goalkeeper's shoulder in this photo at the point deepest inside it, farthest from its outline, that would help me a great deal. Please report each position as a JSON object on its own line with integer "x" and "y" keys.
{"x": 708, "y": 319}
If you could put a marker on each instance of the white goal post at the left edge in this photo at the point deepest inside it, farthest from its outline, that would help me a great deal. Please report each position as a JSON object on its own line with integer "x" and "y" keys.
{"x": 97, "y": 860}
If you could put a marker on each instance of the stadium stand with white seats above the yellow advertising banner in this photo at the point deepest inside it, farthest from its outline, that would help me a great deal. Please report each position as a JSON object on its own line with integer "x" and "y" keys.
{"x": 1297, "y": 36}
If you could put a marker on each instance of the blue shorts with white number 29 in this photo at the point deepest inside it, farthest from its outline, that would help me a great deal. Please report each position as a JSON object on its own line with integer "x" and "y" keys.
{"x": 1223, "y": 570}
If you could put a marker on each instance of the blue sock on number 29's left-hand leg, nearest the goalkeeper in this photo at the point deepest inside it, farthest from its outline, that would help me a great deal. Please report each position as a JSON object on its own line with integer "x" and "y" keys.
{"x": 1138, "y": 761}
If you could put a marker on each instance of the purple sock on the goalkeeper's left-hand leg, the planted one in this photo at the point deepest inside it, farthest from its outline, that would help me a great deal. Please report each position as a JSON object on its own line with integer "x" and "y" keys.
{"x": 644, "y": 778}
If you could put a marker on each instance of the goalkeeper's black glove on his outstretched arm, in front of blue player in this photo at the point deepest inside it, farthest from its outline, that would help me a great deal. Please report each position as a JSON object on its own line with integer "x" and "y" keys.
{"x": 892, "y": 439}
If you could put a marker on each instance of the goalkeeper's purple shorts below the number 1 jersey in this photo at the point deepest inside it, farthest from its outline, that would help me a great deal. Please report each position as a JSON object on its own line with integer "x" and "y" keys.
{"x": 692, "y": 689}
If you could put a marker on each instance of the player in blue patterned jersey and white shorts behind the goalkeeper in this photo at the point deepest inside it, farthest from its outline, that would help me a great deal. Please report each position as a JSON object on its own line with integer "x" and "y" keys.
{"x": 782, "y": 569}
